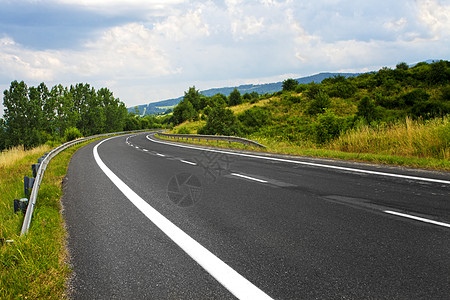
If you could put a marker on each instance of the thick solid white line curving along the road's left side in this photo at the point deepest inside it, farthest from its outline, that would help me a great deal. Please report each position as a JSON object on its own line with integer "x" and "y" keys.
{"x": 229, "y": 278}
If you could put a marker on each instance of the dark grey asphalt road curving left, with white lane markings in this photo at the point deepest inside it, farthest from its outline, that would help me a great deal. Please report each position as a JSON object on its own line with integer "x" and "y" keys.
{"x": 172, "y": 222}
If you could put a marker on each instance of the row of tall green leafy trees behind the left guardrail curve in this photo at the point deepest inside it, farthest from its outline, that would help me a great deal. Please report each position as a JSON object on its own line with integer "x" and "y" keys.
{"x": 36, "y": 115}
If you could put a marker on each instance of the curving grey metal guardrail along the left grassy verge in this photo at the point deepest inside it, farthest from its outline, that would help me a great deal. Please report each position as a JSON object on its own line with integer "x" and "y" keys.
{"x": 43, "y": 166}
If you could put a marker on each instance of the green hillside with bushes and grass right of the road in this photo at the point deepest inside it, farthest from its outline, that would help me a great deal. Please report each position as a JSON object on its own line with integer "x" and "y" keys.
{"x": 395, "y": 116}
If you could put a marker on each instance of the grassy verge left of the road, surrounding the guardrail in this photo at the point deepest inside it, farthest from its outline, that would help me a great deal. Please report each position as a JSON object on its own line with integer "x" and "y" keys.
{"x": 34, "y": 266}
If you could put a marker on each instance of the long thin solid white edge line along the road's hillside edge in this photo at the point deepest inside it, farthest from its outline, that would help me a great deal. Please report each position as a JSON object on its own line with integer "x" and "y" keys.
{"x": 309, "y": 164}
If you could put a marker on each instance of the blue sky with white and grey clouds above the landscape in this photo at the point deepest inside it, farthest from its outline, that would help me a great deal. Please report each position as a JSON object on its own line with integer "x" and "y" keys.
{"x": 149, "y": 50}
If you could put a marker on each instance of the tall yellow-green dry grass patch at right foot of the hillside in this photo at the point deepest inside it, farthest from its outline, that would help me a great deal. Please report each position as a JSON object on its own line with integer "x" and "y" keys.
{"x": 421, "y": 139}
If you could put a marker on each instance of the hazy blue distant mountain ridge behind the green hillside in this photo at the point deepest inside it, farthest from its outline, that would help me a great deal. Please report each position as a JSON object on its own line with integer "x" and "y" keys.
{"x": 268, "y": 88}
